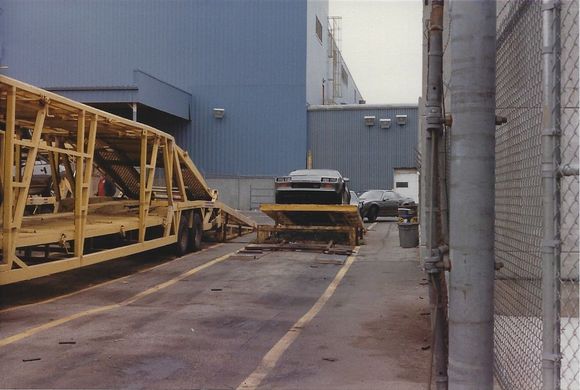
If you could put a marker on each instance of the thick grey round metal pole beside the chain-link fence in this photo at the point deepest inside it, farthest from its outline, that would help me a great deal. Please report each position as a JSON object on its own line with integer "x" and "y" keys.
{"x": 472, "y": 165}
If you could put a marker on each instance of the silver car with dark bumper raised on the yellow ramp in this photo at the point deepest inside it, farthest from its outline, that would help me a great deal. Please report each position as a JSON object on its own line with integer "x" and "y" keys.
{"x": 314, "y": 186}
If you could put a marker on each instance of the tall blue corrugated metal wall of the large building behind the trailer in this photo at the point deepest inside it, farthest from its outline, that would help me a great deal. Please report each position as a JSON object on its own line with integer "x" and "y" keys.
{"x": 247, "y": 56}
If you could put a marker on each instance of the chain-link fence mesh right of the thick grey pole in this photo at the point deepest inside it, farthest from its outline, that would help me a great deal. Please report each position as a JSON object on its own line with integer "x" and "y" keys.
{"x": 519, "y": 203}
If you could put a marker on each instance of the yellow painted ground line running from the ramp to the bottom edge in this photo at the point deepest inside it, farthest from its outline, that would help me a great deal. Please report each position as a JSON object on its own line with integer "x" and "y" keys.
{"x": 271, "y": 358}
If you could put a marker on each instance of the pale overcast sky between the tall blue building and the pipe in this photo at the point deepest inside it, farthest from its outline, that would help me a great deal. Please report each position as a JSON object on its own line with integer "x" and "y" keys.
{"x": 381, "y": 44}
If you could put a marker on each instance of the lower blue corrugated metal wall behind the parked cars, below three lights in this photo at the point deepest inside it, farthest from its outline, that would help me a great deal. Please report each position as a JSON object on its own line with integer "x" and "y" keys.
{"x": 339, "y": 139}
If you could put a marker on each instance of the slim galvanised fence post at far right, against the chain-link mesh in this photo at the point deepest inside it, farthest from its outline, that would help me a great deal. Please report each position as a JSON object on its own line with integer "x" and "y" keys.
{"x": 550, "y": 196}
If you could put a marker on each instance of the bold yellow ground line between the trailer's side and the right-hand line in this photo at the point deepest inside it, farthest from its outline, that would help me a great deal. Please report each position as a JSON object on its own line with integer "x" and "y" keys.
{"x": 128, "y": 301}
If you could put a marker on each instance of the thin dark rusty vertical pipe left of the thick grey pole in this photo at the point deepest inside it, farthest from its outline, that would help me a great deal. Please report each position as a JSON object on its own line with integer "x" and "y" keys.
{"x": 434, "y": 128}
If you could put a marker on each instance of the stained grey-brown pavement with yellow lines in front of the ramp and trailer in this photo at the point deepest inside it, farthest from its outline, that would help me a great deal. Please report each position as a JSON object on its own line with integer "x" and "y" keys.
{"x": 211, "y": 321}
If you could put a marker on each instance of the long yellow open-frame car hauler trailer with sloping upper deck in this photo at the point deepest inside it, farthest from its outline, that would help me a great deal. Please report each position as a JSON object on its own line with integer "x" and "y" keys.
{"x": 165, "y": 200}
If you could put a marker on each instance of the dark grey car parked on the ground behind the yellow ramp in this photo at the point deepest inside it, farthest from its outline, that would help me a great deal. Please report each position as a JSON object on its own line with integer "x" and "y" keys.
{"x": 382, "y": 203}
